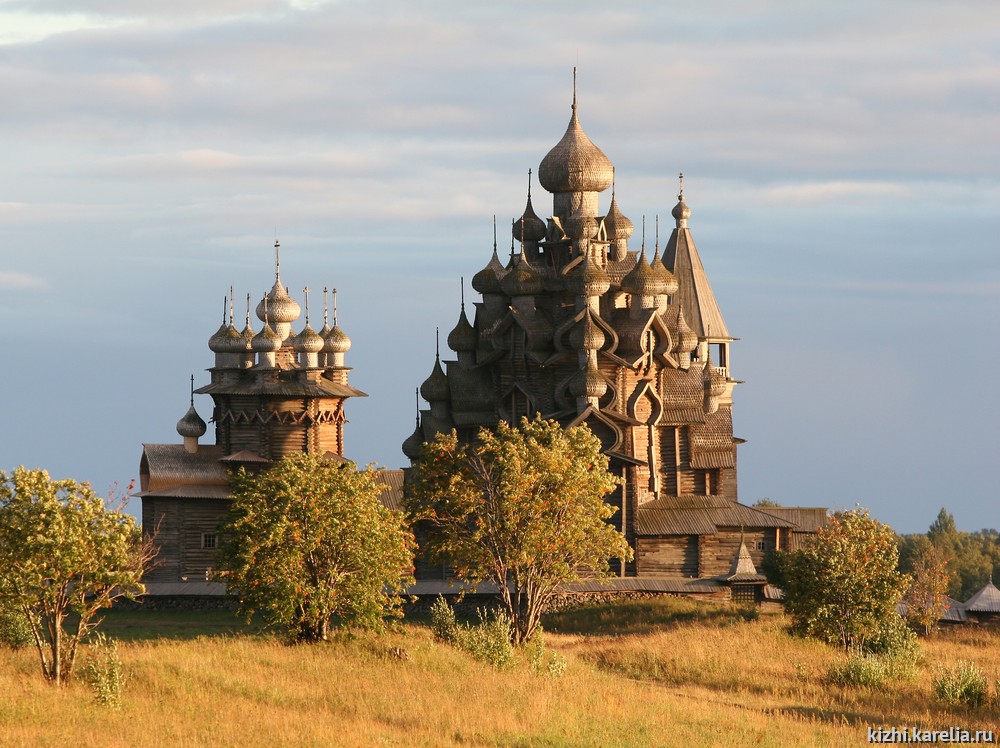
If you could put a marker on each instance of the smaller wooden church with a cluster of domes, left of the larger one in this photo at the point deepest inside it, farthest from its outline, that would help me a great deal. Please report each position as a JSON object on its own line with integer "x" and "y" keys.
{"x": 275, "y": 392}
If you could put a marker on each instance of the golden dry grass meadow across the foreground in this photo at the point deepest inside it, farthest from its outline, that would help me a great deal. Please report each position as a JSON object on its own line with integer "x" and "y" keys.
{"x": 643, "y": 672}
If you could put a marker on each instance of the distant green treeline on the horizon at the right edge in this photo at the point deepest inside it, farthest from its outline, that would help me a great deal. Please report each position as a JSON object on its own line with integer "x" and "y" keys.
{"x": 972, "y": 556}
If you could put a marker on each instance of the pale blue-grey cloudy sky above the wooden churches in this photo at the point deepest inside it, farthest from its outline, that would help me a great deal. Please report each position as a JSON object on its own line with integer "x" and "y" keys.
{"x": 841, "y": 163}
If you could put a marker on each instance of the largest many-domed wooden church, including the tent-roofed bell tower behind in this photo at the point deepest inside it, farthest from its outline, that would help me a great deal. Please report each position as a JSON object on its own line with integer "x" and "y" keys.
{"x": 581, "y": 328}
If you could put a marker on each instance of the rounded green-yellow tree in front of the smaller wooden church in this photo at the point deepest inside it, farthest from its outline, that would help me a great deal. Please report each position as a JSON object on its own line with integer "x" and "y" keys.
{"x": 309, "y": 540}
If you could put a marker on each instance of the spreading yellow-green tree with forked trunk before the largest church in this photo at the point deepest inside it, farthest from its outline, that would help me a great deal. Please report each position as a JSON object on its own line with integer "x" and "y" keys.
{"x": 522, "y": 508}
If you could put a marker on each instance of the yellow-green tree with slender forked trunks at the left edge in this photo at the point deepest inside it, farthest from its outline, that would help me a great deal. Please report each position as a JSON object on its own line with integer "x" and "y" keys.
{"x": 64, "y": 556}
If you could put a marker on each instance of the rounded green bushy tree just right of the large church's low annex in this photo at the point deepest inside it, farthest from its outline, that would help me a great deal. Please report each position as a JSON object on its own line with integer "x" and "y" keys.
{"x": 843, "y": 586}
